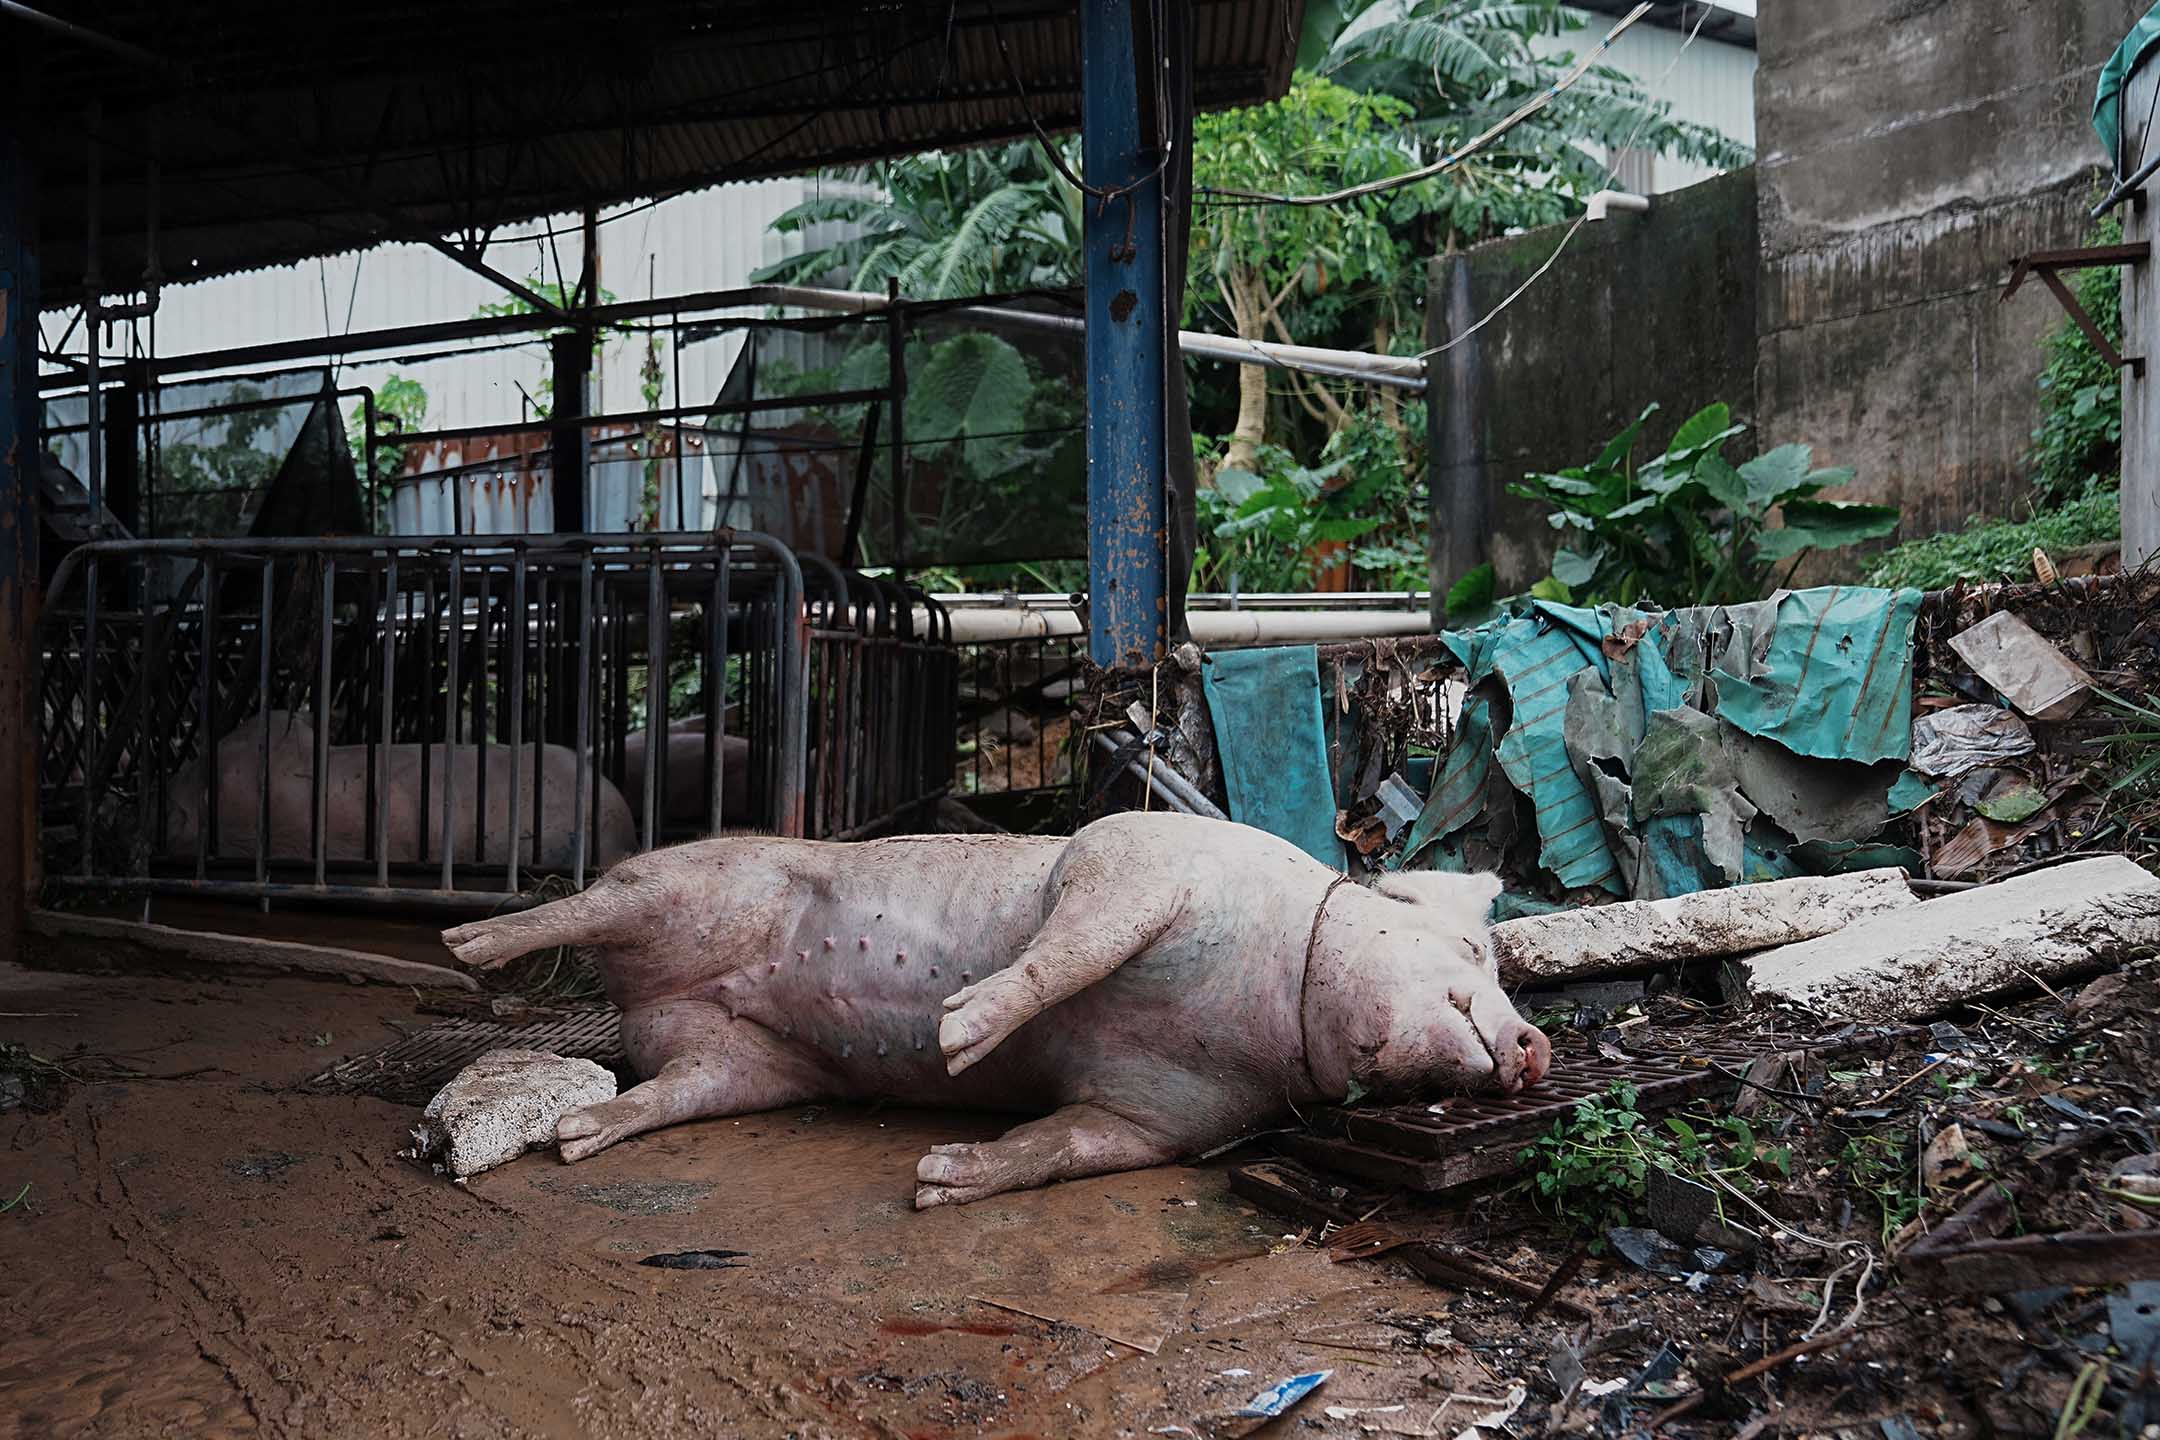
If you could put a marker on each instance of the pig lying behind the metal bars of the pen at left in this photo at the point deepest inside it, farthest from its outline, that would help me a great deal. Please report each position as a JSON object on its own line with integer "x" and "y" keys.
{"x": 416, "y": 813}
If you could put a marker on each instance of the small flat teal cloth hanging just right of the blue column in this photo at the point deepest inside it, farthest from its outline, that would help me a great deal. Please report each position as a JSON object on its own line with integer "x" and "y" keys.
{"x": 1269, "y": 733}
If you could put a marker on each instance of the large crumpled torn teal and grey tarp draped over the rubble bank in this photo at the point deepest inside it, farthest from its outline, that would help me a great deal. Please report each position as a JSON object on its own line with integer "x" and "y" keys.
{"x": 1684, "y": 750}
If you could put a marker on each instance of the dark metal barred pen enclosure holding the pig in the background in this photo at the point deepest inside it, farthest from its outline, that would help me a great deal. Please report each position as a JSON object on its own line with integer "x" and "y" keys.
{"x": 457, "y": 720}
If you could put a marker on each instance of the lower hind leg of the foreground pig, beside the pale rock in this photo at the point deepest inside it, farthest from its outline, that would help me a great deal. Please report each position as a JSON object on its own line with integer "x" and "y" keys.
{"x": 705, "y": 1063}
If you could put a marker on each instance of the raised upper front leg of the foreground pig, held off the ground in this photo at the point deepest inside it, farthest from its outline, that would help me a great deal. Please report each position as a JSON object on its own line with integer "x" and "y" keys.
{"x": 1096, "y": 925}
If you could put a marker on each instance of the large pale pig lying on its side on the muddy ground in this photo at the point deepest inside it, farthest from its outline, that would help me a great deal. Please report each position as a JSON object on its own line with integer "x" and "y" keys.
{"x": 1159, "y": 983}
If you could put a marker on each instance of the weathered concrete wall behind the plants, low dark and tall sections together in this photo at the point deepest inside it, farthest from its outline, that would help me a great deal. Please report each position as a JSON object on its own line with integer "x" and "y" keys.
{"x": 1844, "y": 293}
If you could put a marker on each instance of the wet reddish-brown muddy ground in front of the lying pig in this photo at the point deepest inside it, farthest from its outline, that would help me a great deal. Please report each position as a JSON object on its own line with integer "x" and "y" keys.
{"x": 217, "y": 1253}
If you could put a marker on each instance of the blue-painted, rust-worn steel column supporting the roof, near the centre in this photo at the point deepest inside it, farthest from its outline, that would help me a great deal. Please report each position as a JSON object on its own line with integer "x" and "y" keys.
{"x": 1126, "y": 329}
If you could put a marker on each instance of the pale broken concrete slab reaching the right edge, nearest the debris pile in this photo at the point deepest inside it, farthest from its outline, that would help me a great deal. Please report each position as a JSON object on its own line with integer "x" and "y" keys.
{"x": 1980, "y": 942}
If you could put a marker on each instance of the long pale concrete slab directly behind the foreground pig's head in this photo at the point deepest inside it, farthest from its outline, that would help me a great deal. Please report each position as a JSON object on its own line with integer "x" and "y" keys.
{"x": 1649, "y": 934}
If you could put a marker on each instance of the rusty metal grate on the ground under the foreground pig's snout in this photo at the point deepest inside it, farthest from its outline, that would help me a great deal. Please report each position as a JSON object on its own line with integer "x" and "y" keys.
{"x": 1476, "y": 1137}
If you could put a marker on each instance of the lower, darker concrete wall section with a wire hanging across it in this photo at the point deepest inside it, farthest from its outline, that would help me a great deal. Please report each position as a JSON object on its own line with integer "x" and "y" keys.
{"x": 1638, "y": 310}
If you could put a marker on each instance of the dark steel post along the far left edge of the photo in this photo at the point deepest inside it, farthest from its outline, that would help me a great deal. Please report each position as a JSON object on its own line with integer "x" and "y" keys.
{"x": 18, "y": 508}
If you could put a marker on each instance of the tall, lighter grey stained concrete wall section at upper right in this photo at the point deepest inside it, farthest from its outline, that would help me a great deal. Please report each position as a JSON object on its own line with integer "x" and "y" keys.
{"x": 1908, "y": 150}
